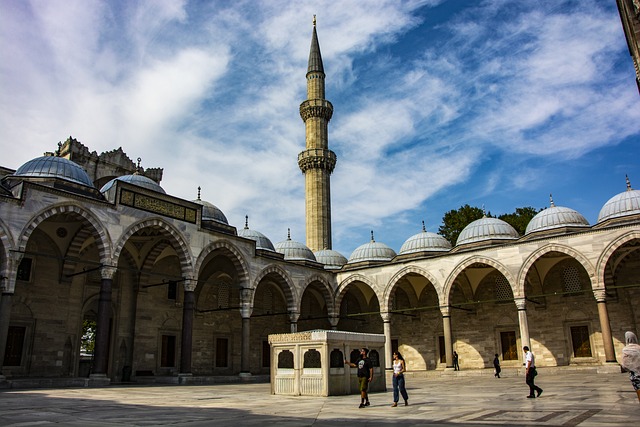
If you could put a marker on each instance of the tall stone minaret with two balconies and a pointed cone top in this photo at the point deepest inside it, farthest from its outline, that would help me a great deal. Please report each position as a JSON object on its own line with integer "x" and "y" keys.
{"x": 317, "y": 161}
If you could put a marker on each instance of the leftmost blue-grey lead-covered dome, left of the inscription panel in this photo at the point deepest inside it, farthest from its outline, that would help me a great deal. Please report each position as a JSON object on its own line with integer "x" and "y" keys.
{"x": 55, "y": 167}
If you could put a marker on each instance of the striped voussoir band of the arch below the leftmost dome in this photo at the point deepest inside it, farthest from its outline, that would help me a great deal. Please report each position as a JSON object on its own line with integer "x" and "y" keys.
{"x": 89, "y": 220}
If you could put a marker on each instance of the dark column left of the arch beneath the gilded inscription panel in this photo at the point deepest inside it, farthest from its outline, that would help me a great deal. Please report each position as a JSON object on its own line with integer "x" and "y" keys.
{"x": 101, "y": 352}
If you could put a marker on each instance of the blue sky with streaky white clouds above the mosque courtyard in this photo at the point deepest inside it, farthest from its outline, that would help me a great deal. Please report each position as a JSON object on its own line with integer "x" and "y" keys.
{"x": 436, "y": 103}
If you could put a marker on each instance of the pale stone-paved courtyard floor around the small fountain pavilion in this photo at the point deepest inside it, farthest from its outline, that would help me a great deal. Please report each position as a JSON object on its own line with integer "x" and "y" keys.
{"x": 569, "y": 399}
